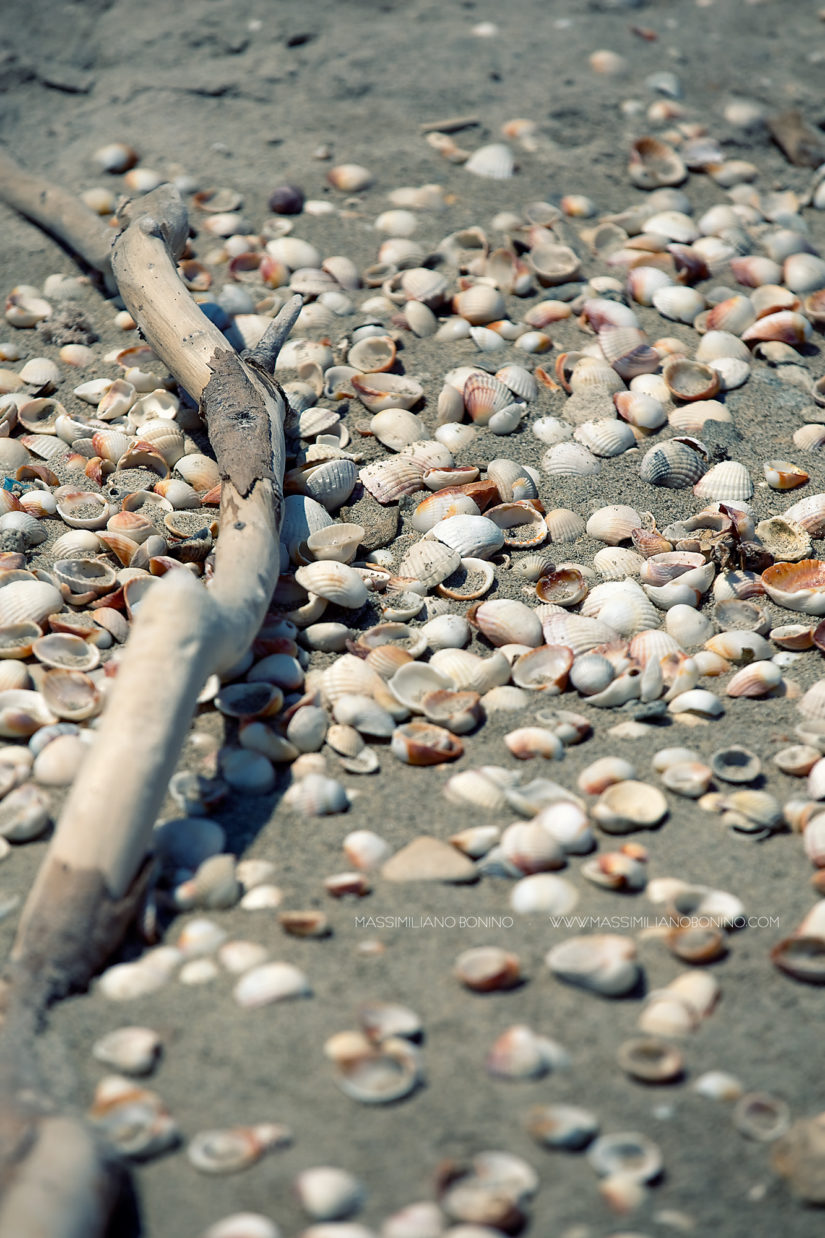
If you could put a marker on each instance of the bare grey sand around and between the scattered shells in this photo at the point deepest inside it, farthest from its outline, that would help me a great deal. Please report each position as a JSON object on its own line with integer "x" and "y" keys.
{"x": 241, "y": 95}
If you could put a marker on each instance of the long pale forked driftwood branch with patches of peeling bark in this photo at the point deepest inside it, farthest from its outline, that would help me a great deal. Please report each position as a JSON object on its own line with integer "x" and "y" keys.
{"x": 55, "y": 1180}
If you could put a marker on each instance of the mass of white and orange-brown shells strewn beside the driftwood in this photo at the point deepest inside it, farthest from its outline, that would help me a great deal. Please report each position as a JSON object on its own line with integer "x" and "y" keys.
{"x": 442, "y": 566}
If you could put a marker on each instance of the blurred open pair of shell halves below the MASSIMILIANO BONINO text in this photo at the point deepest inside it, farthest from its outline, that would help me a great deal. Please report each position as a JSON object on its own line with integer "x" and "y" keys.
{"x": 375, "y": 1074}
